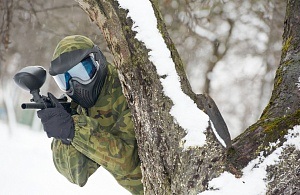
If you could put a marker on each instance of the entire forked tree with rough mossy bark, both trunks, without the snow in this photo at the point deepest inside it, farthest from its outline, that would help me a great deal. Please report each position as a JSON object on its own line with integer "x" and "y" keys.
{"x": 168, "y": 165}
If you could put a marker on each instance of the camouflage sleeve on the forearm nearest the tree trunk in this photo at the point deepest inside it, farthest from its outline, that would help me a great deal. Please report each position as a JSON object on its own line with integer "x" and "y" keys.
{"x": 114, "y": 152}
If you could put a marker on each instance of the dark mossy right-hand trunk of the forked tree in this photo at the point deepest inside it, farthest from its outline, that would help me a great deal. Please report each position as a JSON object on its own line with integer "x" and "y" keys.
{"x": 281, "y": 114}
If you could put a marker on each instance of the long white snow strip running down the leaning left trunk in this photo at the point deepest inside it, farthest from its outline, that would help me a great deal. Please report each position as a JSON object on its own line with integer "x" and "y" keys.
{"x": 185, "y": 112}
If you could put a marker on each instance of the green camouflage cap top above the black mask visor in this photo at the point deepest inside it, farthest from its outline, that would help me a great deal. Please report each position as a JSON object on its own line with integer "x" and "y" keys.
{"x": 71, "y": 43}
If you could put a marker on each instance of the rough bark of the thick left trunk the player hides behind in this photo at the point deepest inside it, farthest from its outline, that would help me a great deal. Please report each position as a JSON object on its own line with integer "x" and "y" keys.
{"x": 164, "y": 161}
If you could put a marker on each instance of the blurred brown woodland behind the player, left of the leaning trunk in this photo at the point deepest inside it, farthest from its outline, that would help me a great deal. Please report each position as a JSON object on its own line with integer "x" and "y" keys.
{"x": 30, "y": 31}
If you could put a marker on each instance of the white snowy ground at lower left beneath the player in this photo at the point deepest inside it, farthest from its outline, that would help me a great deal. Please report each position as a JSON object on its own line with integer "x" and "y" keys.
{"x": 27, "y": 168}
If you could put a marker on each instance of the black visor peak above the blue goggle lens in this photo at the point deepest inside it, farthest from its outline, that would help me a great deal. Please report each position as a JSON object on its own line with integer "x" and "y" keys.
{"x": 68, "y": 60}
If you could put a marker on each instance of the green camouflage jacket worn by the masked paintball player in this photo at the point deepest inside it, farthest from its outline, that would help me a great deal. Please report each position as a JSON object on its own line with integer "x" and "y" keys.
{"x": 104, "y": 136}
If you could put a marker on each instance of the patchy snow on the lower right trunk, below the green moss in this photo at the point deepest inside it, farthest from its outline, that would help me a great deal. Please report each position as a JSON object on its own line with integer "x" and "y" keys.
{"x": 254, "y": 180}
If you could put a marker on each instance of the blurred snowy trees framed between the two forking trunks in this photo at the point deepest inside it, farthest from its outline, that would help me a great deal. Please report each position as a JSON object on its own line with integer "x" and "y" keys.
{"x": 210, "y": 38}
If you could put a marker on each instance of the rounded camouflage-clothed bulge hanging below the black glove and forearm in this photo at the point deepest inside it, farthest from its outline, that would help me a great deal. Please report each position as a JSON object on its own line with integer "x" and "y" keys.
{"x": 76, "y": 167}
